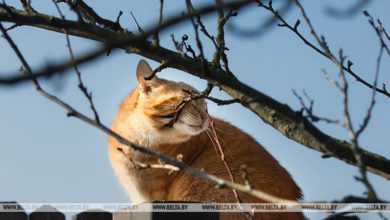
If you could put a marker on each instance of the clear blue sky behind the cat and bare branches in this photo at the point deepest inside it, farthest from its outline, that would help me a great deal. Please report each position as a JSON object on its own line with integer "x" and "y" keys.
{"x": 48, "y": 157}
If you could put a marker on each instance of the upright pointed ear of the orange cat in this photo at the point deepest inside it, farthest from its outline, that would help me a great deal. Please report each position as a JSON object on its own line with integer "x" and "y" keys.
{"x": 145, "y": 76}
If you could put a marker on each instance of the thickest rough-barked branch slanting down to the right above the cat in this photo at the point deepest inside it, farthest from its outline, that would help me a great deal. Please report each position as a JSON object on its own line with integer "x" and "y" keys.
{"x": 278, "y": 115}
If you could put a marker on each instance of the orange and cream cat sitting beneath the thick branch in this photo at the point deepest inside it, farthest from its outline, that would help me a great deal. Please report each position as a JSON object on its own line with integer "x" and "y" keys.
{"x": 148, "y": 117}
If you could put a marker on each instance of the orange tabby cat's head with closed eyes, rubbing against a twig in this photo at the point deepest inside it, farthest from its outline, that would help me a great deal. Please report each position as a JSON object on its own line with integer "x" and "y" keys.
{"x": 160, "y": 120}
